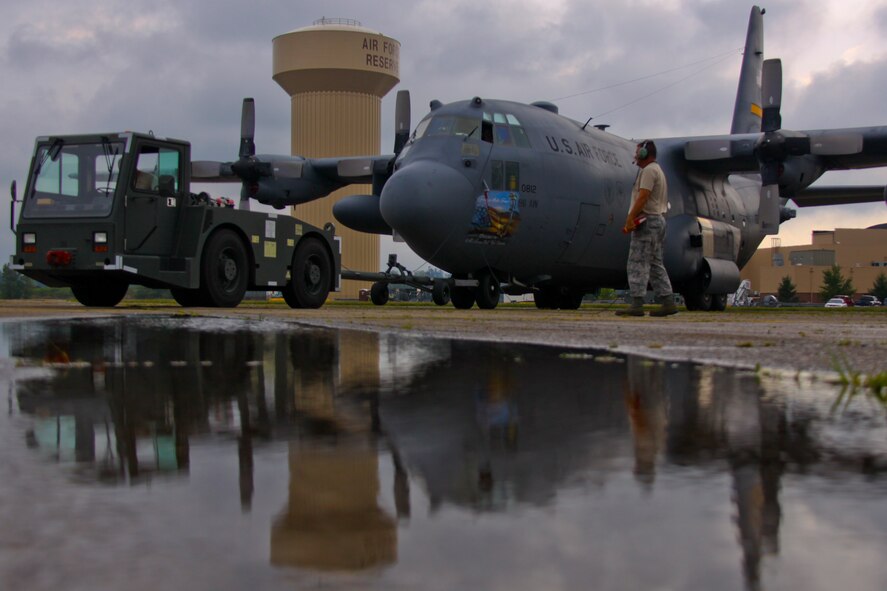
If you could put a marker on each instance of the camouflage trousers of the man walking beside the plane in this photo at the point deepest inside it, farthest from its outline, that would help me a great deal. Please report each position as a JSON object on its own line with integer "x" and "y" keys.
{"x": 645, "y": 259}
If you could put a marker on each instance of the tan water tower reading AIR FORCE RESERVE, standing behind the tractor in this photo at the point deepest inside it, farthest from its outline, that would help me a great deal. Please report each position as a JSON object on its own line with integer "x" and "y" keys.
{"x": 336, "y": 73}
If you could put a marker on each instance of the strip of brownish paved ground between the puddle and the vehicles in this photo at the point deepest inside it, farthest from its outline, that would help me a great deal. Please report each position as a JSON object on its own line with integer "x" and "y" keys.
{"x": 795, "y": 340}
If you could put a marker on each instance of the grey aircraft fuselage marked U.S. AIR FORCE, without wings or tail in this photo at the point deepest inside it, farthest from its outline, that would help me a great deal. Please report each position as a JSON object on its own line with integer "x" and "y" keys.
{"x": 537, "y": 199}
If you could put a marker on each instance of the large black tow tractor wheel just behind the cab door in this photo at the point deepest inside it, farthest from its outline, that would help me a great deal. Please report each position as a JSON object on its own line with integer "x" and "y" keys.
{"x": 224, "y": 270}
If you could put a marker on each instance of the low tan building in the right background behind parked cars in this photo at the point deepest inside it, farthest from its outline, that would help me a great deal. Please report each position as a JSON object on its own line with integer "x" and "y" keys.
{"x": 861, "y": 254}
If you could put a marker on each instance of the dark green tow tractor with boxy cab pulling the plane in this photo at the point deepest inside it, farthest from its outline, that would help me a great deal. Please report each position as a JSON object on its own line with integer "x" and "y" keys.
{"x": 101, "y": 212}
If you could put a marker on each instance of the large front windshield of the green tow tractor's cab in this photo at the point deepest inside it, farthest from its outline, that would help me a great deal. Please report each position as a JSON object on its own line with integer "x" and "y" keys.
{"x": 73, "y": 180}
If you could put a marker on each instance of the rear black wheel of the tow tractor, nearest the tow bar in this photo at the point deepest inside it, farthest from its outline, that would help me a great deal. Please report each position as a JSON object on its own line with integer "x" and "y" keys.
{"x": 309, "y": 283}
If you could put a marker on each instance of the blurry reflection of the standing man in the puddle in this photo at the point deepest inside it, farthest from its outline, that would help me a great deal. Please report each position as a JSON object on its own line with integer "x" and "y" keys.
{"x": 646, "y": 414}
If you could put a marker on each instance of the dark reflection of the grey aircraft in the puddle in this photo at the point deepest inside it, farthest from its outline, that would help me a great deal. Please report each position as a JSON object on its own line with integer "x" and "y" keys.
{"x": 577, "y": 422}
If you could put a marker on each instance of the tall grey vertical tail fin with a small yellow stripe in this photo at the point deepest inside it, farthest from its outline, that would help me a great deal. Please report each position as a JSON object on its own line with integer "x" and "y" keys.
{"x": 747, "y": 112}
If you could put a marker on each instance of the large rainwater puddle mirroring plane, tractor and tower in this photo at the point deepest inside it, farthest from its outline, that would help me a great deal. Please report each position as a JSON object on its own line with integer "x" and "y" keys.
{"x": 150, "y": 453}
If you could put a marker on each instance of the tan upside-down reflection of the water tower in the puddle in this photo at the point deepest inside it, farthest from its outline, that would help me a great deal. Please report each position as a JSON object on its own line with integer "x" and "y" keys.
{"x": 332, "y": 520}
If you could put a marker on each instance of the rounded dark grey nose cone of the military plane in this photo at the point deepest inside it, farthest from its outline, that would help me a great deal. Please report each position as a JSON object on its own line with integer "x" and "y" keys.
{"x": 425, "y": 201}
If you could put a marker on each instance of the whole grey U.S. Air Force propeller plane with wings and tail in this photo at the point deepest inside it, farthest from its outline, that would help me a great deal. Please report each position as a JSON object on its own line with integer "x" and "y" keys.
{"x": 517, "y": 198}
